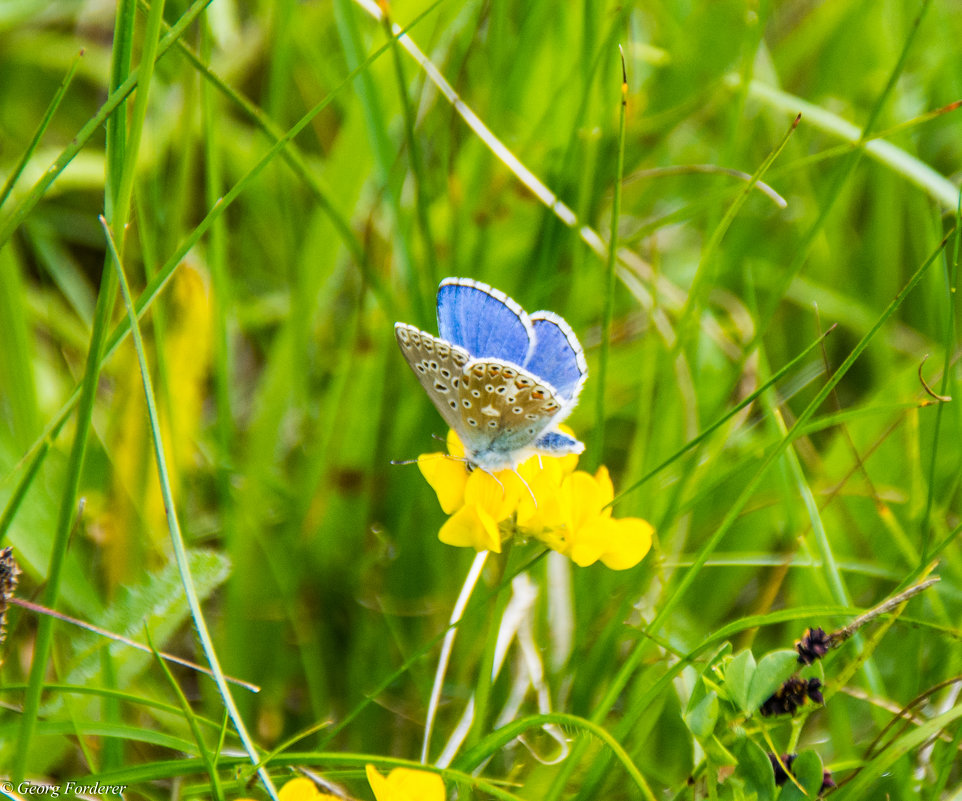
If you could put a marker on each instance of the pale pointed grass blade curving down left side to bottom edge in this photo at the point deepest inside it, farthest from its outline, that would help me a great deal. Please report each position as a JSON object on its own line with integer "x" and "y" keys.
{"x": 177, "y": 540}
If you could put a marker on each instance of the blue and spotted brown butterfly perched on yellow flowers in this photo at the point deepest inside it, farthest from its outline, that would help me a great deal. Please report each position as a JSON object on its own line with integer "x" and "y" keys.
{"x": 502, "y": 379}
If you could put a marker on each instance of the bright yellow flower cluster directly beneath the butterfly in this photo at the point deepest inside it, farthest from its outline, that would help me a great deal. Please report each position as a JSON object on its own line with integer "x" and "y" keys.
{"x": 545, "y": 498}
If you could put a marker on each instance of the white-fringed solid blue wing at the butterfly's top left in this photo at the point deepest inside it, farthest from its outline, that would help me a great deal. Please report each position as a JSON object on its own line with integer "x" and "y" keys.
{"x": 483, "y": 321}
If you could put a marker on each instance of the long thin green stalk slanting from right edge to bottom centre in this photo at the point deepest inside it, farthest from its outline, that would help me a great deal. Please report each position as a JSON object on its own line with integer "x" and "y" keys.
{"x": 631, "y": 663}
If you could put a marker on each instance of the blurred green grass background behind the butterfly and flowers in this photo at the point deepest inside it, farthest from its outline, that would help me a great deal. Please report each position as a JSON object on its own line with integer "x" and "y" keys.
{"x": 275, "y": 277}
